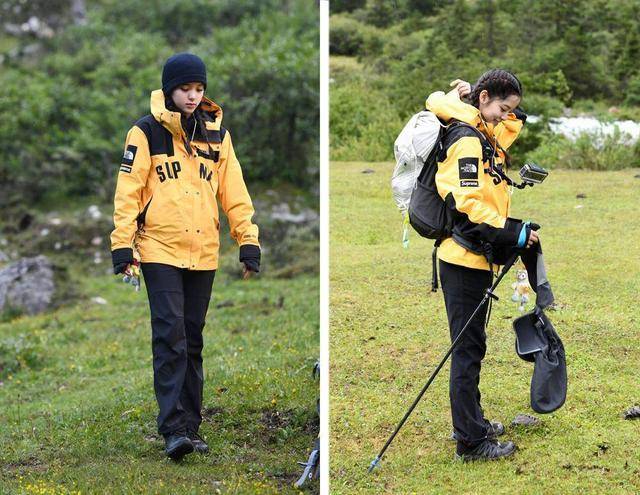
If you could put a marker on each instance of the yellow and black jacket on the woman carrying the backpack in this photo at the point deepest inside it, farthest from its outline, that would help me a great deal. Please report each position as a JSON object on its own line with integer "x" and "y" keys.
{"x": 466, "y": 179}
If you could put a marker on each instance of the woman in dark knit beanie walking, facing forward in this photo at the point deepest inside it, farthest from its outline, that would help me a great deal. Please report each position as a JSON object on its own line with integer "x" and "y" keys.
{"x": 178, "y": 162}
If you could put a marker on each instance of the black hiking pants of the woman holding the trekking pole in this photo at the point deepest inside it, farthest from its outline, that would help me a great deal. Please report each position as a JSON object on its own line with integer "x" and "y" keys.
{"x": 463, "y": 289}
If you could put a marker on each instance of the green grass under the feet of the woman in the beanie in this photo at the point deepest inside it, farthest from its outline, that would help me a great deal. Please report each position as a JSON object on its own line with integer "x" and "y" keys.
{"x": 78, "y": 415}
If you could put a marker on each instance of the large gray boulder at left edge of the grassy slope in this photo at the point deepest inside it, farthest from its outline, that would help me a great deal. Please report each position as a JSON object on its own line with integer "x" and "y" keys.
{"x": 27, "y": 285}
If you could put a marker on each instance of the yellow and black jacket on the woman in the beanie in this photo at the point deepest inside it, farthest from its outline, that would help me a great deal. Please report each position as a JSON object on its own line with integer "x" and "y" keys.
{"x": 165, "y": 198}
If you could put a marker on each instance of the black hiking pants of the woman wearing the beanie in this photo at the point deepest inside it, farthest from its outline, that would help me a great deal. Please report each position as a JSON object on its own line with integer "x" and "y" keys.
{"x": 178, "y": 301}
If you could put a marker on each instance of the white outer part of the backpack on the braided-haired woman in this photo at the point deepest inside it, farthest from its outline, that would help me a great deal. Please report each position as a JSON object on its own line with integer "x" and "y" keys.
{"x": 411, "y": 149}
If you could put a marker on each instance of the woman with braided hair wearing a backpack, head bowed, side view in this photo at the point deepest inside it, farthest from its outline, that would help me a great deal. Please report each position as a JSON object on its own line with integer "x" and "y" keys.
{"x": 471, "y": 179}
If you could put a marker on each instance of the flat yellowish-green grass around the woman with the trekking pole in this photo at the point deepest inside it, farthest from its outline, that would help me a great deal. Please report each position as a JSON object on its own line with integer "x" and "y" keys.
{"x": 388, "y": 332}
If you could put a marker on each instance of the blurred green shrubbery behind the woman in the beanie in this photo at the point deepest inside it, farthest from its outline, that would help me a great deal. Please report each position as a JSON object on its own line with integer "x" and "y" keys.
{"x": 72, "y": 104}
